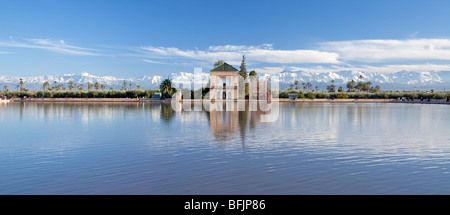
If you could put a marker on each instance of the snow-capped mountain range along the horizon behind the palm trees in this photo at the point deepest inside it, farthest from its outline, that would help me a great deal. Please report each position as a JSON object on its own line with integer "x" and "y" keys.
{"x": 402, "y": 80}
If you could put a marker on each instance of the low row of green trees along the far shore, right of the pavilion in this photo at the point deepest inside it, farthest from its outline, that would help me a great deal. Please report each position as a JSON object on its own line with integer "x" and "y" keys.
{"x": 362, "y": 95}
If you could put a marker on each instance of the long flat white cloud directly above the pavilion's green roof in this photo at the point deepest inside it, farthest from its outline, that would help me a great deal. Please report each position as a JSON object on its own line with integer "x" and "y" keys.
{"x": 233, "y": 54}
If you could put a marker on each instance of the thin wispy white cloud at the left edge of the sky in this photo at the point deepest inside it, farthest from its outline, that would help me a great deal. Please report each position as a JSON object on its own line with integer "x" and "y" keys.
{"x": 50, "y": 45}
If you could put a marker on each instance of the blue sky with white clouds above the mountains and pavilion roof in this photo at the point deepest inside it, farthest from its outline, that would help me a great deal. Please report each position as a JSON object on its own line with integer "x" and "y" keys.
{"x": 137, "y": 38}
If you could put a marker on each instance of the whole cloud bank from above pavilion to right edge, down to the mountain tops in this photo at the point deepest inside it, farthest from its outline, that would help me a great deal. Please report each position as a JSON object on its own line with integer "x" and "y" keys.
{"x": 384, "y": 56}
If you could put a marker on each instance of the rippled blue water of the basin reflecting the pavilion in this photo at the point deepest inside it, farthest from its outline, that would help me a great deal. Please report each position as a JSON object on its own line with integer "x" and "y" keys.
{"x": 152, "y": 149}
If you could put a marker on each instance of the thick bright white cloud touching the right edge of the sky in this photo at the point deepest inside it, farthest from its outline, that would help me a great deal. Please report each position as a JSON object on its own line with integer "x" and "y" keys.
{"x": 389, "y": 50}
